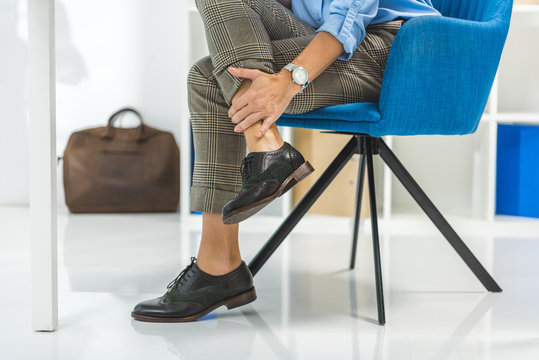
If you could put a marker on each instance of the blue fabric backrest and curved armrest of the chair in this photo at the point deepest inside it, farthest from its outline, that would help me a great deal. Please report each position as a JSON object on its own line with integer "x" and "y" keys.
{"x": 440, "y": 70}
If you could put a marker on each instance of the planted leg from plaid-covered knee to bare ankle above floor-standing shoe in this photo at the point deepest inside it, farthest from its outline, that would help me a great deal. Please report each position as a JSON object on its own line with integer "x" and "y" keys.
{"x": 216, "y": 180}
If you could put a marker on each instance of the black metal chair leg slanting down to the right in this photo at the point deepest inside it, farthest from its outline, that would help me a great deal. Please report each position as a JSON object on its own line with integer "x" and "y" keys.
{"x": 437, "y": 218}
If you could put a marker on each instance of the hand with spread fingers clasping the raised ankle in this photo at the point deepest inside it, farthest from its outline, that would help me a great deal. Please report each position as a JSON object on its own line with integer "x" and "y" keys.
{"x": 265, "y": 100}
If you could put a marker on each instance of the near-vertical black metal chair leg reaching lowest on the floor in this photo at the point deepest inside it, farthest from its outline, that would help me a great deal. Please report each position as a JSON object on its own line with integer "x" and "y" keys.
{"x": 375, "y": 239}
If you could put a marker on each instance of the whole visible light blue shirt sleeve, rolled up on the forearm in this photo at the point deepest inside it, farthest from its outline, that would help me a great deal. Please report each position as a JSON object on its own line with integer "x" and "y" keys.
{"x": 347, "y": 21}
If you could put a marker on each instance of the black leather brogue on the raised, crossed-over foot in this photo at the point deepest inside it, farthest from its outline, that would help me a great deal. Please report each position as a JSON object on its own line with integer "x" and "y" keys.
{"x": 265, "y": 176}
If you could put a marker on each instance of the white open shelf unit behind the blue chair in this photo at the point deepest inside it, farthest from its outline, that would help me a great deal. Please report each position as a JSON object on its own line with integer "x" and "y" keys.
{"x": 458, "y": 172}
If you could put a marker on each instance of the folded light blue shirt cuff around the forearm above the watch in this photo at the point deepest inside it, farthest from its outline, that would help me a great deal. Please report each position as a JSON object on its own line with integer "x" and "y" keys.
{"x": 344, "y": 29}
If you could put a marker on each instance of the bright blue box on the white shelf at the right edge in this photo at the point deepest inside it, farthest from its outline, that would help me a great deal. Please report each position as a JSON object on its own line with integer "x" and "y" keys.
{"x": 517, "y": 175}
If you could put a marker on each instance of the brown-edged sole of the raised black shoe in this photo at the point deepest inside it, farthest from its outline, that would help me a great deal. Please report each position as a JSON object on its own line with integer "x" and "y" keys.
{"x": 247, "y": 211}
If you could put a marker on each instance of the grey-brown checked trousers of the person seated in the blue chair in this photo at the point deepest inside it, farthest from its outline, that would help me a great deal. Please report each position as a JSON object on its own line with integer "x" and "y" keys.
{"x": 264, "y": 35}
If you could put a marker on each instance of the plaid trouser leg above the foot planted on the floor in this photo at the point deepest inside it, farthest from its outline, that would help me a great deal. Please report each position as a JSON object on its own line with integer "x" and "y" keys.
{"x": 218, "y": 149}
